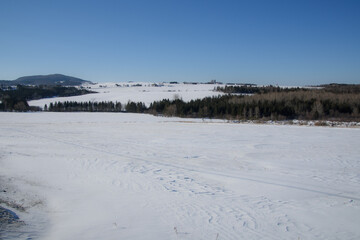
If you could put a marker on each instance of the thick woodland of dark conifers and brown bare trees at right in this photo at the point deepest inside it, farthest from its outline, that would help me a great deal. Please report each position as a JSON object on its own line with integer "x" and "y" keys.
{"x": 316, "y": 104}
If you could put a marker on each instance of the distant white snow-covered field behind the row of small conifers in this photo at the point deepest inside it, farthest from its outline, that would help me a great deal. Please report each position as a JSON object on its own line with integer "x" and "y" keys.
{"x": 147, "y": 93}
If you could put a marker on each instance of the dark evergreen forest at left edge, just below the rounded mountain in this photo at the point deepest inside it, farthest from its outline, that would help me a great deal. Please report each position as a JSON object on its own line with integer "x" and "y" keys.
{"x": 16, "y": 99}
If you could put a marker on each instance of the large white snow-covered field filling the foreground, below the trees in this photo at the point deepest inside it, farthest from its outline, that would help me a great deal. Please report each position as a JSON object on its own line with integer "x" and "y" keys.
{"x": 134, "y": 176}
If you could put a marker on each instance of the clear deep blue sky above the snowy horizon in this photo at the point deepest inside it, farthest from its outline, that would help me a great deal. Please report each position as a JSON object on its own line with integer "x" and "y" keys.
{"x": 290, "y": 42}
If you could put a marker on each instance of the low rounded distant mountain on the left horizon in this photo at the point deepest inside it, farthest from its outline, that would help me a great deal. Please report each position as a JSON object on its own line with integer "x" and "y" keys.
{"x": 53, "y": 79}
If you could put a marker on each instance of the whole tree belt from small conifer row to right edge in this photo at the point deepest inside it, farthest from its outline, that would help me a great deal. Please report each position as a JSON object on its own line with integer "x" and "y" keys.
{"x": 328, "y": 102}
